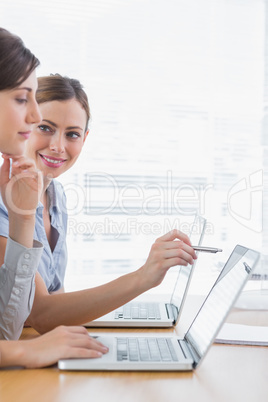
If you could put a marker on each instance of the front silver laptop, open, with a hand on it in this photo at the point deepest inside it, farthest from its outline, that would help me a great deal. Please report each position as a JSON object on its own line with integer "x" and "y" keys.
{"x": 154, "y": 352}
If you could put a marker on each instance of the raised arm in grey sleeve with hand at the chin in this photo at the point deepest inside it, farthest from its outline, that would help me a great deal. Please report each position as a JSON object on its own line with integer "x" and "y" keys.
{"x": 19, "y": 255}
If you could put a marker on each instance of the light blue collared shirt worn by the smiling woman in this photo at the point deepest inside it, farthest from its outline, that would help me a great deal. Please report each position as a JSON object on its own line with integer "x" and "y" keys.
{"x": 52, "y": 265}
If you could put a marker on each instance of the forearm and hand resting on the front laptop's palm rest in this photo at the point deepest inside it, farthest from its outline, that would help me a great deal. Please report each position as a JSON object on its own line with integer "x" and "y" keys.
{"x": 45, "y": 350}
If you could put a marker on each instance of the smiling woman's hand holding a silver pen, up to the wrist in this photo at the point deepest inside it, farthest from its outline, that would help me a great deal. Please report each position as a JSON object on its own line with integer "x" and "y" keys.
{"x": 174, "y": 248}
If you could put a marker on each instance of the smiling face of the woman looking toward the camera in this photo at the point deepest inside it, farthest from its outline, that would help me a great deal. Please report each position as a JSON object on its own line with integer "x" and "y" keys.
{"x": 58, "y": 139}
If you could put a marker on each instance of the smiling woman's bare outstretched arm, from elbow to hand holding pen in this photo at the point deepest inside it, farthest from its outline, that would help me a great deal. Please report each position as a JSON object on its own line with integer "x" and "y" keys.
{"x": 51, "y": 310}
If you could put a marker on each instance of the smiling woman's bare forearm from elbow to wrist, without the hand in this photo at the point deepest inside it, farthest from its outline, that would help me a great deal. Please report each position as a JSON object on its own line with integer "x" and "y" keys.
{"x": 76, "y": 308}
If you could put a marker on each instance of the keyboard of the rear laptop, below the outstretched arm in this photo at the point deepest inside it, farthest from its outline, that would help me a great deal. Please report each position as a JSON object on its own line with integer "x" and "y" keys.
{"x": 143, "y": 311}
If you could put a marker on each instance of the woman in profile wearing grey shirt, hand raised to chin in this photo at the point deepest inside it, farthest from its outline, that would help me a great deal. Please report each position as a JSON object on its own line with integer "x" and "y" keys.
{"x": 21, "y": 188}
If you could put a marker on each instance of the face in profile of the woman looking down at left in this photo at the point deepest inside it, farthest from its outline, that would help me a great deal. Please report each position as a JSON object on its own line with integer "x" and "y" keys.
{"x": 18, "y": 112}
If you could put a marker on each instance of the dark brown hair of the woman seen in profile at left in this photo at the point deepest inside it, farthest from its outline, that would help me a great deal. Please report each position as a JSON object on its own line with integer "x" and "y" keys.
{"x": 16, "y": 61}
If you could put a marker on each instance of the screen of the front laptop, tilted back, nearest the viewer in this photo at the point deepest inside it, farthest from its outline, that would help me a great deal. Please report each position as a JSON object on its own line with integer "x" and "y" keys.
{"x": 220, "y": 300}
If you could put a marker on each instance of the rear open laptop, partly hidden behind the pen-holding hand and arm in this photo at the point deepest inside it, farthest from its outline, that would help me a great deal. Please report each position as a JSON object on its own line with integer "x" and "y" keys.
{"x": 141, "y": 313}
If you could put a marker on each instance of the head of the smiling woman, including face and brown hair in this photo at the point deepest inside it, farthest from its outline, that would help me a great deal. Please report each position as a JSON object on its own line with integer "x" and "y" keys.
{"x": 58, "y": 140}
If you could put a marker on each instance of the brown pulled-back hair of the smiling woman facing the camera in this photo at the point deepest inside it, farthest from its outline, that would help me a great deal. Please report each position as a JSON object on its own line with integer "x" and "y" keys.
{"x": 55, "y": 87}
